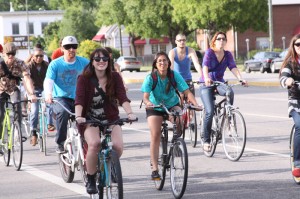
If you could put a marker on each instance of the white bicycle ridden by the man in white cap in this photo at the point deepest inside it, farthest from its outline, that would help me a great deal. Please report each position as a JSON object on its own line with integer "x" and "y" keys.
{"x": 75, "y": 148}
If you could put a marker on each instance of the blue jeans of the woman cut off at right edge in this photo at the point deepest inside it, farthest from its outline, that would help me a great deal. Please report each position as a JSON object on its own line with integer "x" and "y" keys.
{"x": 296, "y": 118}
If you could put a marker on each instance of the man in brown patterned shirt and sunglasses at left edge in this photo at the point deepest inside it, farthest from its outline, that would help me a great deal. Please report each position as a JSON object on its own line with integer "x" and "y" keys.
{"x": 12, "y": 70}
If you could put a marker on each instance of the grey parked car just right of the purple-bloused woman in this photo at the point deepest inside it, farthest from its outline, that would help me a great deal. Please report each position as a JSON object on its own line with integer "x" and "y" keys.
{"x": 261, "y": 61}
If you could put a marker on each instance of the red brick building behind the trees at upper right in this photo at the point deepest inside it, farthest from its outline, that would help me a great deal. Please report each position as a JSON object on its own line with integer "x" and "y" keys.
{"x": 286, "y": 23}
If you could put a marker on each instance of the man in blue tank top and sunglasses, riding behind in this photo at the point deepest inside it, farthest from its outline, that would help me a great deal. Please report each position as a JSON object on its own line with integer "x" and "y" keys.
{"x": 181, "y": 58}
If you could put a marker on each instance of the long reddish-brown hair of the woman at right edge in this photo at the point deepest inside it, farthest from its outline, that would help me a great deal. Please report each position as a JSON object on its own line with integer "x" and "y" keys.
{"x": 291, "y": 56}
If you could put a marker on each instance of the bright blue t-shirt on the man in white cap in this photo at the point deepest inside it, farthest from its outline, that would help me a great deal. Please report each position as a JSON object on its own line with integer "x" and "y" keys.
{"x": 65, "y": 76}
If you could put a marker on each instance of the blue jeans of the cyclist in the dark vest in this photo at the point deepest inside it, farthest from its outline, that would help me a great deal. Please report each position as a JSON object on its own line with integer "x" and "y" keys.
{"x": 34, "y": 112}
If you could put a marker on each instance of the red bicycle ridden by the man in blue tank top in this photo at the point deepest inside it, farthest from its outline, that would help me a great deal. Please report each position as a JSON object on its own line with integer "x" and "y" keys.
{"x": 189, "y": 119}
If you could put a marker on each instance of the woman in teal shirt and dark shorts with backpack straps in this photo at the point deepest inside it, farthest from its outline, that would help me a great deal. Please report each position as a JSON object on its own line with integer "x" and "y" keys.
{"x": 163, "y": 92}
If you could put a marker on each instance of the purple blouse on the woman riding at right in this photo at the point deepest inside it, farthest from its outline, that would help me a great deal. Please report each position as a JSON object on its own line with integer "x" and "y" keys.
{"x": 216, "y": 70}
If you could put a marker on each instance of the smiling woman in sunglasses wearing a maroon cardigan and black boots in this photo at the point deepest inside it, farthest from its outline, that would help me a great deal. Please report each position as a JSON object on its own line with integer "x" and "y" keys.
{"x": 98, "y": 90}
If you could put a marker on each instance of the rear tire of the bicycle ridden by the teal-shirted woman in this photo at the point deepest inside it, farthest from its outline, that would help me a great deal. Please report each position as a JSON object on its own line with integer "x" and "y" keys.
{"x": 162, "y": 161}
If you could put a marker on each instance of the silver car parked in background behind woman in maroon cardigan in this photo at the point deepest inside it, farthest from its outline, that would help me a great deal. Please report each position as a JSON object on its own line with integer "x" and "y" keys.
{"x": 129, "y": 63}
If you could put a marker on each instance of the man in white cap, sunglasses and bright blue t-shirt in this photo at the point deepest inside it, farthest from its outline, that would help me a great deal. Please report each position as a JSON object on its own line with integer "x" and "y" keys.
{"x": 60, "y": 83}
